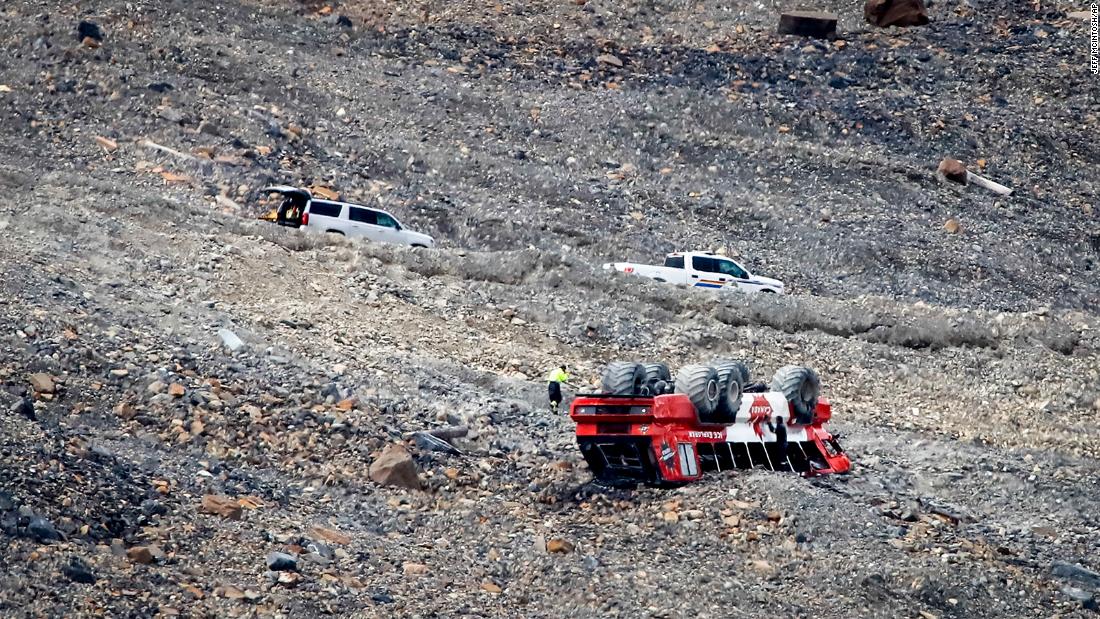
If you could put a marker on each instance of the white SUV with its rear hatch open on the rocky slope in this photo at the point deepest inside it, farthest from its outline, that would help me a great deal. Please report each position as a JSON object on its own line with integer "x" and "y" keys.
{"x": 300, "y": 209}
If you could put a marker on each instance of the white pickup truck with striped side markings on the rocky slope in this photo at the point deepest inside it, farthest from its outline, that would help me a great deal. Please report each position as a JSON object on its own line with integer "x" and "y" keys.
{"x": 702, "y": 270}
